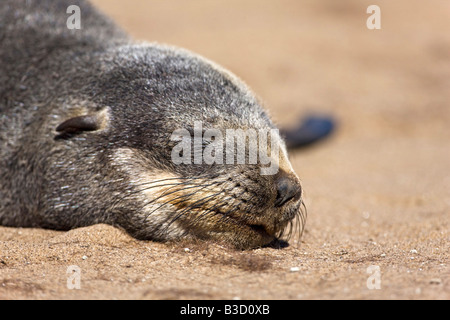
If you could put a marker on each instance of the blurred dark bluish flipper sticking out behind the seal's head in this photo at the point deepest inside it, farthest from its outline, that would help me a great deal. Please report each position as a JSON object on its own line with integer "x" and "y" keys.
{"x": 311, "y": 130}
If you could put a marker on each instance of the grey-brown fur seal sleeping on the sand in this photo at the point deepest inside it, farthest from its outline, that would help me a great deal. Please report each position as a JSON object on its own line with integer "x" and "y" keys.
{"x": 86, "y": 118}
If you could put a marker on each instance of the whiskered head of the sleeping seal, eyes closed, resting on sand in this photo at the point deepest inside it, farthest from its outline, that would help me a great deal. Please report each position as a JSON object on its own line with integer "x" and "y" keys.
{"x": 166, "y": 90}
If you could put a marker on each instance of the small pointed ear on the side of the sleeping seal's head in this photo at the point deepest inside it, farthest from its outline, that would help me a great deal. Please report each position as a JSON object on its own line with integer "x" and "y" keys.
{"x": 90, "y": 122}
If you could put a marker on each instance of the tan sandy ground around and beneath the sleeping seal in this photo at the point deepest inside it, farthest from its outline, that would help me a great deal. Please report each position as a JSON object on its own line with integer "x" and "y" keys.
{"x": 377, "y": 191}
